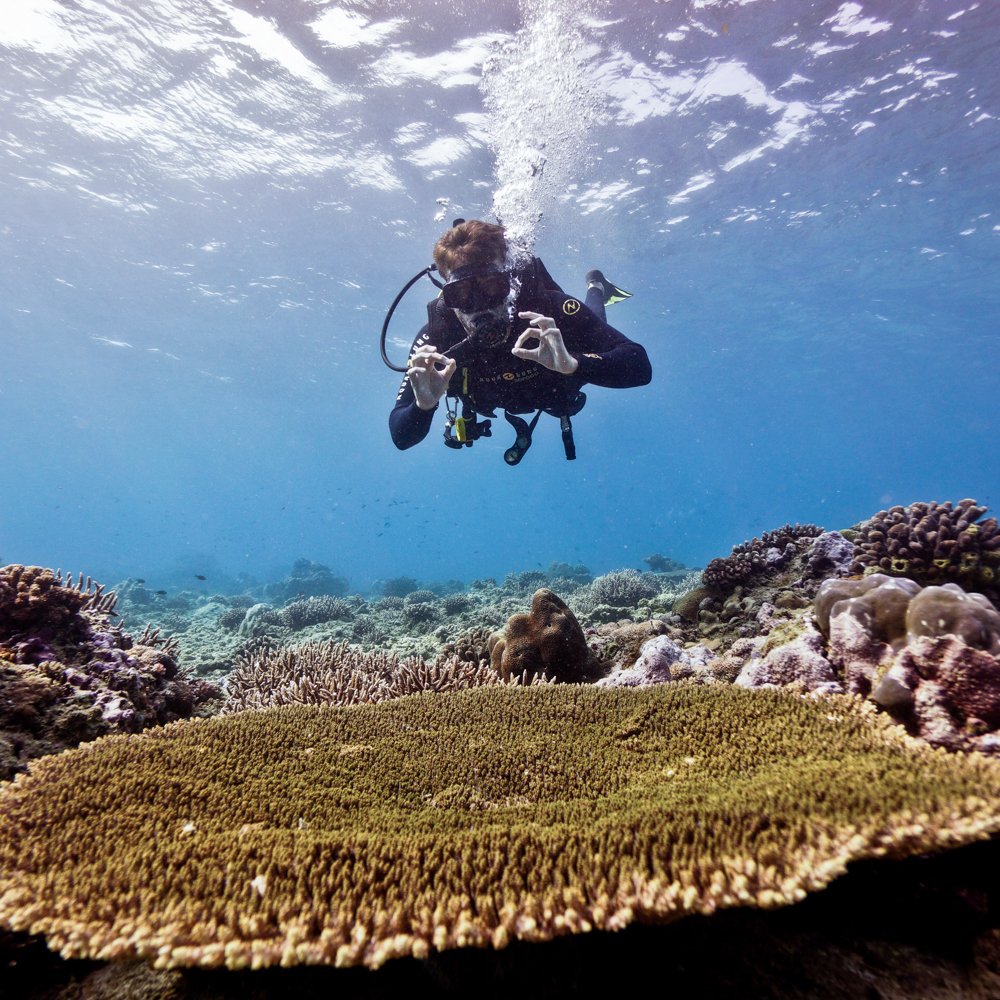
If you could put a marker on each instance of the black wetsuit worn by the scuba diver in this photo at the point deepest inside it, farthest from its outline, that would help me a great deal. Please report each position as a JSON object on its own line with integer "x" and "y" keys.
{"x": 486, "y": 380}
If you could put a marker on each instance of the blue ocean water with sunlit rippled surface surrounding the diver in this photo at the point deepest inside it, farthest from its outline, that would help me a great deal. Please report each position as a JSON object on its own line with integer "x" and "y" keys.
{"x": 206, "y": 208}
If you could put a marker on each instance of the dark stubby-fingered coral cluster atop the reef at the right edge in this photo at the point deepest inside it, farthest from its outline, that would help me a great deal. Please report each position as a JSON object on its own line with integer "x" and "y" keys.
{"x": 932, "y": 542}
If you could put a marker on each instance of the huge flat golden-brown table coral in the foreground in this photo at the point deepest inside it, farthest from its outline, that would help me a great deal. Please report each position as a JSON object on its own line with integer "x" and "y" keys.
{"x": 355, "y": 835}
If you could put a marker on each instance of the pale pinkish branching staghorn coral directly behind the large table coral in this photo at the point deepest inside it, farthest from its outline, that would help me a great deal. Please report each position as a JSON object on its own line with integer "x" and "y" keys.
{"x": 338, "y": 674}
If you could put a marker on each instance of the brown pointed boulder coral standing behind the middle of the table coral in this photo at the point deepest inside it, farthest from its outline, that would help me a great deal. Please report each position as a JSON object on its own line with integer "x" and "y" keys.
{"x": 547, "y": 642}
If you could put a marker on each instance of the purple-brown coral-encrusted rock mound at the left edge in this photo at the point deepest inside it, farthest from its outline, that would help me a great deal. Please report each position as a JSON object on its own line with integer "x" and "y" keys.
{"x": 67, "y": 674}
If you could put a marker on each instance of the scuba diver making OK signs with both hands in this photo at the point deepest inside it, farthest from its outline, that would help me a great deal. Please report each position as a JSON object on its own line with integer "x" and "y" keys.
{"x": 507, "y": 336}
